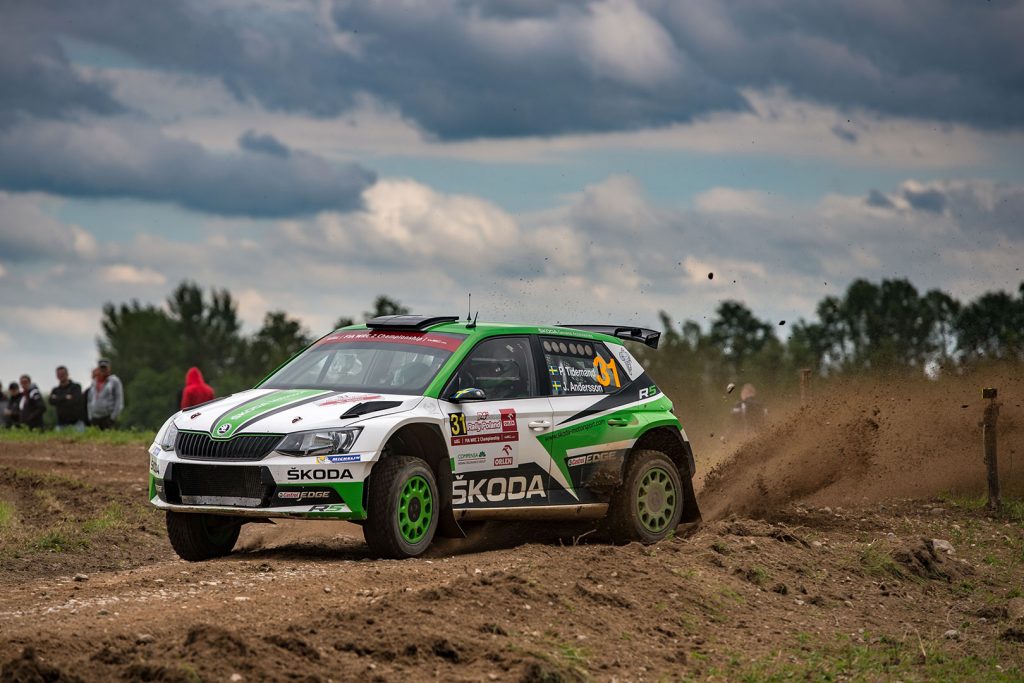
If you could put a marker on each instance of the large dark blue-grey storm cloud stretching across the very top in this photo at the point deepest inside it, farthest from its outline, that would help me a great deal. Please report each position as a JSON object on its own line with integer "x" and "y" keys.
{"x": 467, "y": 69}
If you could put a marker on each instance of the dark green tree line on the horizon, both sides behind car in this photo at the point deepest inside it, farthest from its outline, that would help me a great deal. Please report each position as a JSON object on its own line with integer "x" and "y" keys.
{"x": 888, "y": 327}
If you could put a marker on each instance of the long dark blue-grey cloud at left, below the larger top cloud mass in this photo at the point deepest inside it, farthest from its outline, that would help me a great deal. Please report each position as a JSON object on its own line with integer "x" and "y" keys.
{"x": 134, "y": 161}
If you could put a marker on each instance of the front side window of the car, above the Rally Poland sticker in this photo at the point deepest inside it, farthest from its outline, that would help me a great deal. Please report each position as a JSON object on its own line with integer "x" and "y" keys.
{"x": 502, "y": 367}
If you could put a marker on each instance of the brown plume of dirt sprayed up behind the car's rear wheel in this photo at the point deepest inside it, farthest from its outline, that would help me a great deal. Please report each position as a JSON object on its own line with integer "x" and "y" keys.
{"x": 870, "y": 442}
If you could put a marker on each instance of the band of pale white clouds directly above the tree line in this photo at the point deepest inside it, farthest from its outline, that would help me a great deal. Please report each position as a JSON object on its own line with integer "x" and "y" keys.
{"x": 607, "y": 253}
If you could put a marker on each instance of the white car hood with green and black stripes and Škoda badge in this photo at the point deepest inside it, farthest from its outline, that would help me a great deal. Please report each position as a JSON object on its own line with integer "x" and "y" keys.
{"x": 284, "y": 411}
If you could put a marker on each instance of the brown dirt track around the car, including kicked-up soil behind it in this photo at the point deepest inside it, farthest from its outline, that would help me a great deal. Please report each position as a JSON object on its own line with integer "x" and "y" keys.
{"x": 795, "y": 589}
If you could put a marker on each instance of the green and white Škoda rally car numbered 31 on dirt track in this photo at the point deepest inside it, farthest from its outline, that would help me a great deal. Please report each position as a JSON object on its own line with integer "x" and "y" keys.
{"x": 415, "y": 426}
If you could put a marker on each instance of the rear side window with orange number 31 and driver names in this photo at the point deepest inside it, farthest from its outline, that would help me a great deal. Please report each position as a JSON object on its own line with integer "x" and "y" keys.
{"x": 578, "y": 368}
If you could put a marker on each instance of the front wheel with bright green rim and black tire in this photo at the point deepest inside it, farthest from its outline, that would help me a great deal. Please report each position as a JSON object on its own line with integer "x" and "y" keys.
{"x": 393, "y": 478}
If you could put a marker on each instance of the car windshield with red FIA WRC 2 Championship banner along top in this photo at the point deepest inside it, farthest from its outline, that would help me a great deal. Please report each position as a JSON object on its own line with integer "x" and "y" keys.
{"x": 403, "y": 363}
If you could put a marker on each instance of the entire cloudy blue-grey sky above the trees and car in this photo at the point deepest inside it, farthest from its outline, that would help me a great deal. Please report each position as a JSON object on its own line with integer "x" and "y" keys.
{"x": 584, "y": 161}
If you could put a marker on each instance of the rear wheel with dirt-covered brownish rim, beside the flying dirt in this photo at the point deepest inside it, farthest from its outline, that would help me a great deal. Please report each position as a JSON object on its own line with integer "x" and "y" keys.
{"x": 653, "y": 478}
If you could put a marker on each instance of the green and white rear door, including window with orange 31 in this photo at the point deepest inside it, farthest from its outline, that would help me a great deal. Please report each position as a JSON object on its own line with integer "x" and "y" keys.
{"x": 591, "y": 437}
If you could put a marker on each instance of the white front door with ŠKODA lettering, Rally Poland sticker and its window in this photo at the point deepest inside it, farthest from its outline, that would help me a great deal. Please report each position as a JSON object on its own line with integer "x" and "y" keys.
{"x": 497, "y": 460}
